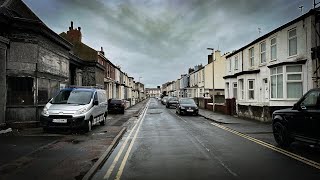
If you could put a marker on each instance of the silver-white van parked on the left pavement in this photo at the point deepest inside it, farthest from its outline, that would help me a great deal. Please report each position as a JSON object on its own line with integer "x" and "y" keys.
{"x": 75, "y": 108}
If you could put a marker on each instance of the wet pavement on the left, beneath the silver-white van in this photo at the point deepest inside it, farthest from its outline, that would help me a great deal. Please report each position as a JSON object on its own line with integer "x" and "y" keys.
{"x": 32, "y": 154}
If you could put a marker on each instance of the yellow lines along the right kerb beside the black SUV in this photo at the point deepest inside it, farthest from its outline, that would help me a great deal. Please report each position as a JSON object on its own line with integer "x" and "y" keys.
{"x": 267, "y": 145}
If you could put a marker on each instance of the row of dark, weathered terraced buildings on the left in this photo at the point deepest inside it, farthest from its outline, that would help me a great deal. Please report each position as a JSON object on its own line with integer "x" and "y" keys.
{"x": 36, "y": 62}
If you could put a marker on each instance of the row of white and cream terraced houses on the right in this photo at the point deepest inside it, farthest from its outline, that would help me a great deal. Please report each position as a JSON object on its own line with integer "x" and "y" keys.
{"x": 272, "y": 72}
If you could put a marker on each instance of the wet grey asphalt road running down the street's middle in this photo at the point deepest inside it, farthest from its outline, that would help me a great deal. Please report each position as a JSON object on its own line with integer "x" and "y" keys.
{"x": 163, "y": 145}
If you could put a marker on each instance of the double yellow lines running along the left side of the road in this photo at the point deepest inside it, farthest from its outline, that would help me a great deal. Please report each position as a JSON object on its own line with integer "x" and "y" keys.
{"x": 124, "y": 161}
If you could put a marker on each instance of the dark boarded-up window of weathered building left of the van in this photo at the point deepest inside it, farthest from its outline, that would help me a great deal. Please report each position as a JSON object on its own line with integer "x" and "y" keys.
{"x": 20, "y": 91}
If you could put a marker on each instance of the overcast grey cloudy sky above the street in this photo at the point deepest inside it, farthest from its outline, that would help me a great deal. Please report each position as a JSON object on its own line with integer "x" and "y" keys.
{"x": 160, "y": 39}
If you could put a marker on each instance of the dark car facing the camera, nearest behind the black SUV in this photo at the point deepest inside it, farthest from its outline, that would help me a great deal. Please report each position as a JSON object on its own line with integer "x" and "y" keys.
{"x": 187, "y": 106}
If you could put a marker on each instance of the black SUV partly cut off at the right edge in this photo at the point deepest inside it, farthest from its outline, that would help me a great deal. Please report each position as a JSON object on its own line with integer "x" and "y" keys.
{"x": 299, "y": 123}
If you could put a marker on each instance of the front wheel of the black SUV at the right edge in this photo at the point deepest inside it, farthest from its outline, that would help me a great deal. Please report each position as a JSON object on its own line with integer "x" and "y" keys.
{"x": 281, "y": 135}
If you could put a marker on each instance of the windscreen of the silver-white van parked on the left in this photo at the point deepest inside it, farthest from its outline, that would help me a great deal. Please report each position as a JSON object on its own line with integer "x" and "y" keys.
{"x": 73, "y": 97}
